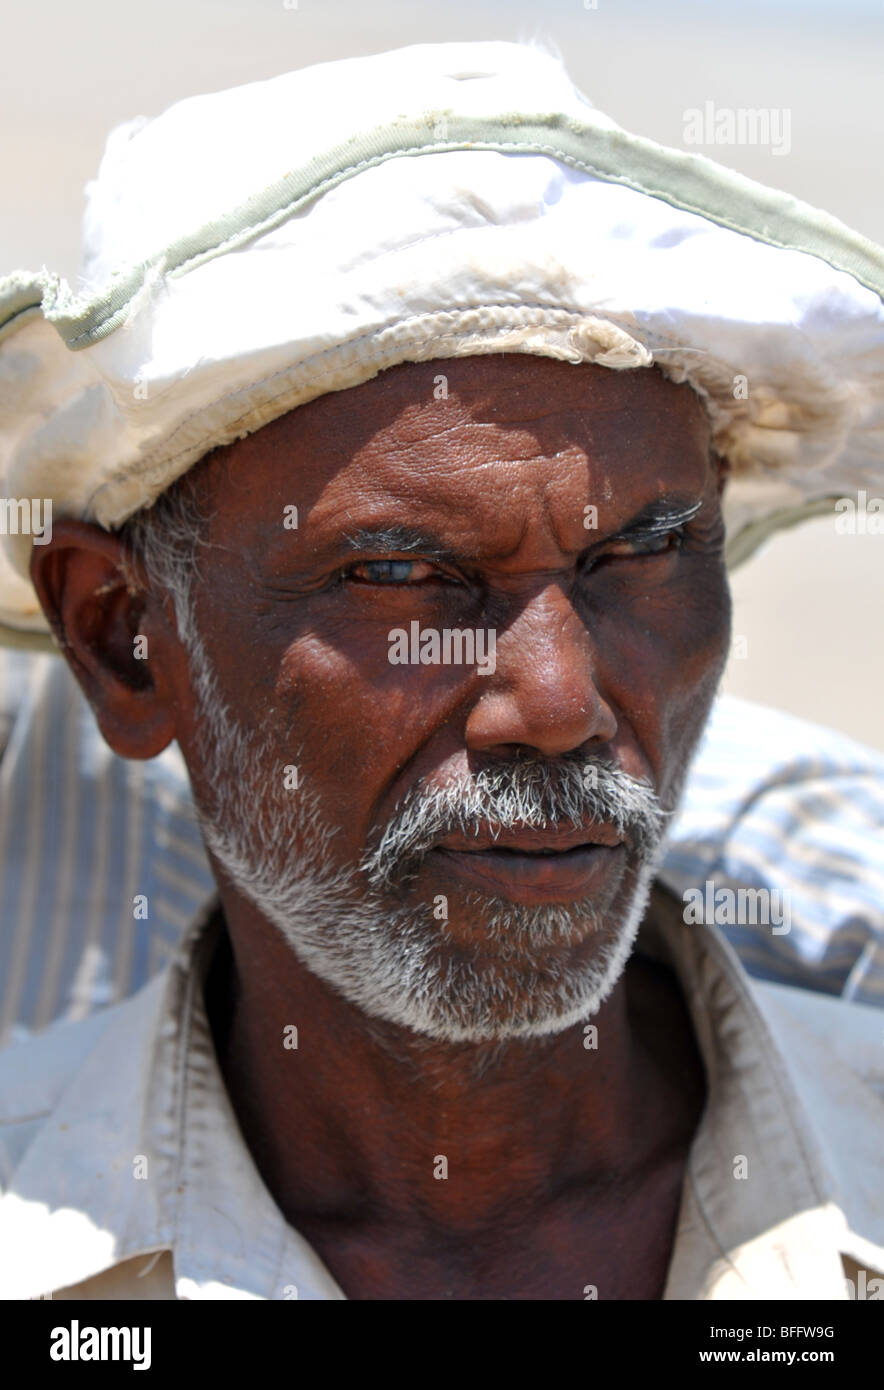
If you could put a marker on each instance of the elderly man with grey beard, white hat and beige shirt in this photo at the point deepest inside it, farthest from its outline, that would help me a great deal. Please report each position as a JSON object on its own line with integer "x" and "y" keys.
{"x": 393, "y": 477}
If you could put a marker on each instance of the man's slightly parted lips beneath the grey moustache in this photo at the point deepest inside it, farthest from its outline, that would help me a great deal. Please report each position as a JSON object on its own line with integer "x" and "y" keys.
{"x": 537, "y": 865}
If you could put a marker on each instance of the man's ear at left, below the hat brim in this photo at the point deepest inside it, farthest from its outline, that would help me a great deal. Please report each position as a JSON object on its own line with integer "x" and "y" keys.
{"x": 117, "y": 637}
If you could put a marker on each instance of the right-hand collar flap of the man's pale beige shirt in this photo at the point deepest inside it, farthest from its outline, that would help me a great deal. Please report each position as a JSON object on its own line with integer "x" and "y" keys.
{"x": 760, "y": 1217}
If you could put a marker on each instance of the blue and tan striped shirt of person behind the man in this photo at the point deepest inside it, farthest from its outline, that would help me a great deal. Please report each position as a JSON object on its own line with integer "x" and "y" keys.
{"x": 102, "y": 867}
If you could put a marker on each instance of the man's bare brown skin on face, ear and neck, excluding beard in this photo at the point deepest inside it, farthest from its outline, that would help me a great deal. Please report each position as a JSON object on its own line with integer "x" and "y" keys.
{"x": 565, "y": 1166}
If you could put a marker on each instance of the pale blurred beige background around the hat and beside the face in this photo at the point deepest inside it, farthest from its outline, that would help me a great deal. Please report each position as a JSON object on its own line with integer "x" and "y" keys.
{"x": 810, "y": 610}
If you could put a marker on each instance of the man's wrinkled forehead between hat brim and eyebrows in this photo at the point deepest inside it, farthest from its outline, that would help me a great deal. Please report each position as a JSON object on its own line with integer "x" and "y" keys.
{"x": 487, "y": 441}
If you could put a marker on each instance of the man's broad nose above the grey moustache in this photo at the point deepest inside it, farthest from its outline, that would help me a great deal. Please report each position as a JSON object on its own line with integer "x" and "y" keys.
{"x": 543, "y": 693}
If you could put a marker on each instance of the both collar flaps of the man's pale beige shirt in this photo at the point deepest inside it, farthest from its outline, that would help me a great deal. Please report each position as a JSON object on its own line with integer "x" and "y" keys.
{"x": 144, "y": 1154}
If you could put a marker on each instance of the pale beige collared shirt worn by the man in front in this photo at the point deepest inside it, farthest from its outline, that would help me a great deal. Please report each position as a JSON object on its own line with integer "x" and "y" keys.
{"x": 124, "y": 1172}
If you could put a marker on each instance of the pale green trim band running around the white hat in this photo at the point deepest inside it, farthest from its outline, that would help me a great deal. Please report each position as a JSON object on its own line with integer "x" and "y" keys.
{"x": 690, "y": 183}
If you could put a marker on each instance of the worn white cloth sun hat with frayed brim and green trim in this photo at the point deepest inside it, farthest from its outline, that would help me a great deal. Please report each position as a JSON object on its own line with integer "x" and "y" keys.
{"x": 252, "y": 250}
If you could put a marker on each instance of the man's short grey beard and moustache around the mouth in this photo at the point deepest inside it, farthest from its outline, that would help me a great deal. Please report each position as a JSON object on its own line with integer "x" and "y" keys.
{"x": 398, "y": 963}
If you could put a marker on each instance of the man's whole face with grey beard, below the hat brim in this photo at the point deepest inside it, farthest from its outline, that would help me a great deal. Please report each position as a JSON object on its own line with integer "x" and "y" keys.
{"x": 466, "y": 847}
